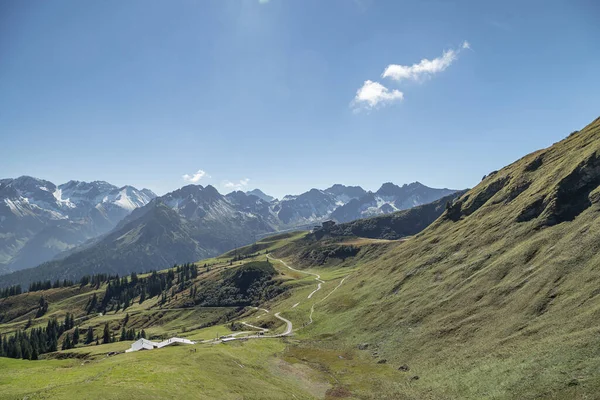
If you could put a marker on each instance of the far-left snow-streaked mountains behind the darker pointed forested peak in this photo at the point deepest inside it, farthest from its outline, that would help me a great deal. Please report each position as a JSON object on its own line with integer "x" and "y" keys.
{"x": 39, "y": 219}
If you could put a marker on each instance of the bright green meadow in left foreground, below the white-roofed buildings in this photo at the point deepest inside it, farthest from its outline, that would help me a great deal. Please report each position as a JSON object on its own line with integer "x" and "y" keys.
{"x": 249, "y": 370}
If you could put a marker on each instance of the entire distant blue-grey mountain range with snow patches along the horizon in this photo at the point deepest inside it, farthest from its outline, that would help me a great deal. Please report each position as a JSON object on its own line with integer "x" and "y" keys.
{"x": 80, "y": 228}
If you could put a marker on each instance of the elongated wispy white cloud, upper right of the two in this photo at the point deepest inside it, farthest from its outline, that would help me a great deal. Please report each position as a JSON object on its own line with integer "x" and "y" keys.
{"x": 425, "y": 68}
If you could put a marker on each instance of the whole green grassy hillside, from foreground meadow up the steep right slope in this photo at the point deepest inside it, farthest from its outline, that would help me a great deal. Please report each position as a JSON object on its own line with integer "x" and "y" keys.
{"x": 497, "y": 299}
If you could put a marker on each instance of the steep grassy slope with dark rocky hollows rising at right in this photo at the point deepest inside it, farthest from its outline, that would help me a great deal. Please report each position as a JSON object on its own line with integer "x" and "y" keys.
{"x": 499, "y": 297}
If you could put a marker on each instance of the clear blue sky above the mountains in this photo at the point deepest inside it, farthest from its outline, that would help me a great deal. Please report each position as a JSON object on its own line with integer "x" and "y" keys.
{"x": 266, "y": 94}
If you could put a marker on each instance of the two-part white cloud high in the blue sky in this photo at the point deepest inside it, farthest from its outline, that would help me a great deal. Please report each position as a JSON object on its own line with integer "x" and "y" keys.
{"x": 373, "y": 94}
